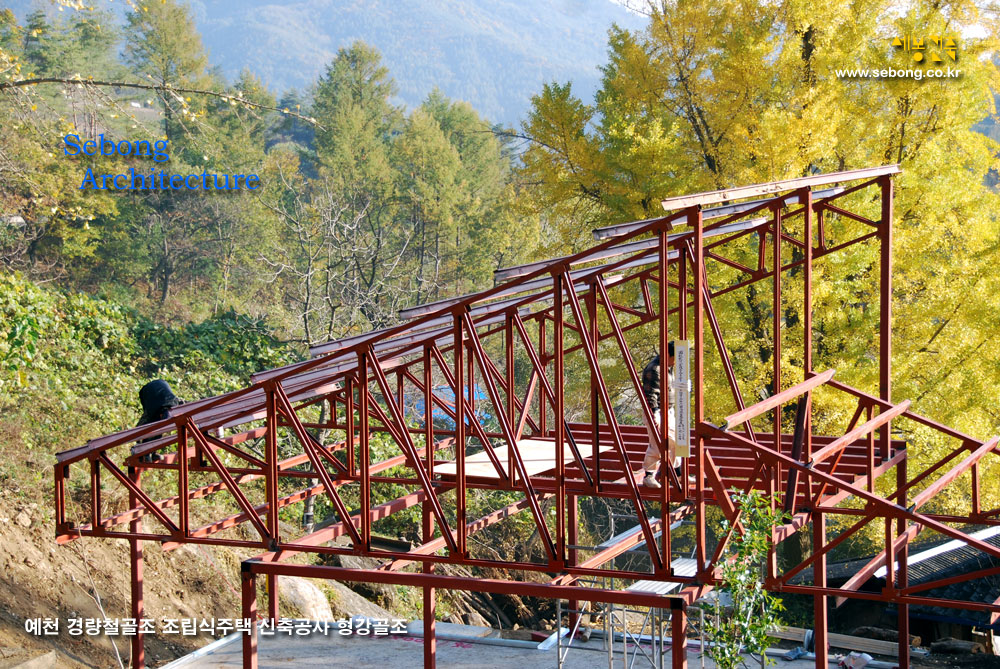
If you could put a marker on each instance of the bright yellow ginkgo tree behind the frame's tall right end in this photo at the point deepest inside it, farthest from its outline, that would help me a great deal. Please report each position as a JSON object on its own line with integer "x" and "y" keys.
{"x": 716, "y": 94}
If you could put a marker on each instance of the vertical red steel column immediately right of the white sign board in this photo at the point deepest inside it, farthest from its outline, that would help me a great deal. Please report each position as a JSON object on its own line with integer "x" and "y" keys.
{"x": 696, "y": 223}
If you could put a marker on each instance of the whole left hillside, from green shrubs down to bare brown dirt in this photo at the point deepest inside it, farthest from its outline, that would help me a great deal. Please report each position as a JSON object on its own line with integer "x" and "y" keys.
{"x": 70, "y": 368}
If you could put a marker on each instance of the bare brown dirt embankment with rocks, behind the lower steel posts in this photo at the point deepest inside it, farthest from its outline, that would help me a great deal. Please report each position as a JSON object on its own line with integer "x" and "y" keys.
{"x": 89, "y": 579}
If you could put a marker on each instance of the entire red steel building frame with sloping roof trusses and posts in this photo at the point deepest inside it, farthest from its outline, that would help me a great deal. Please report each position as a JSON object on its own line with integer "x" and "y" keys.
{"x": 541, "y": 326}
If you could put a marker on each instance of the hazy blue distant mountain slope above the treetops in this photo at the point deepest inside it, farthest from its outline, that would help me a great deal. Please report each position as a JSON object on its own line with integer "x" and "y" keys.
{"x": 494, "y": 55}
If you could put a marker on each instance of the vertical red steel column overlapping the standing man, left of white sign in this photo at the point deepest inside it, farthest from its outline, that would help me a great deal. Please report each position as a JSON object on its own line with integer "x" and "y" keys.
{"x": 664, "y": 426}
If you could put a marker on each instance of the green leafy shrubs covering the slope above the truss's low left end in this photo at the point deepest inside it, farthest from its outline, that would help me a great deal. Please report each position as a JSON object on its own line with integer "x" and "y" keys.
{"x": 72, "y": 366}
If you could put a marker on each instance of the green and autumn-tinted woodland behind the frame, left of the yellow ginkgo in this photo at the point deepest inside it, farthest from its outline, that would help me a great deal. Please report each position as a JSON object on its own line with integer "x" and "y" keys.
{"x": 363, "y": 207}
